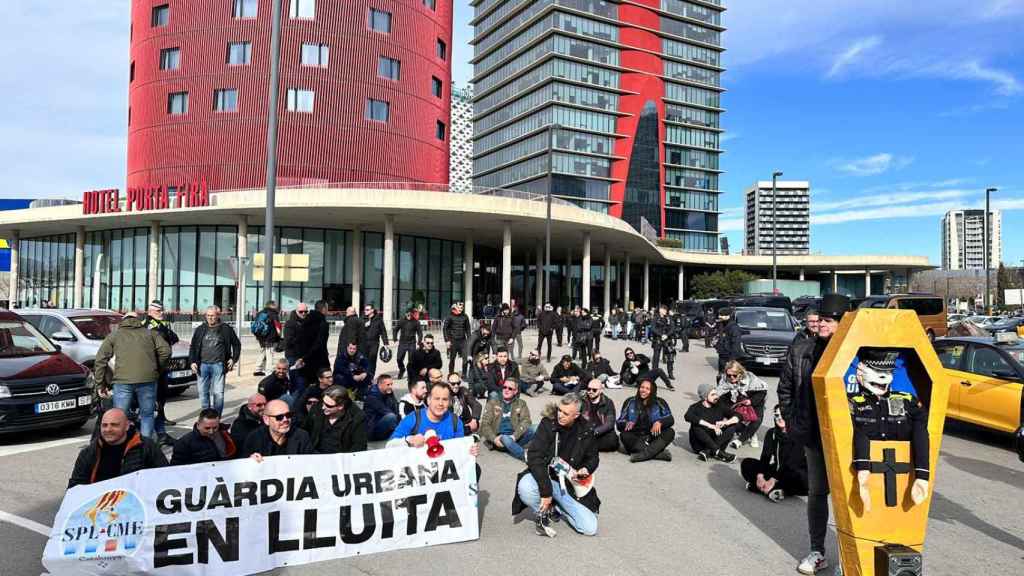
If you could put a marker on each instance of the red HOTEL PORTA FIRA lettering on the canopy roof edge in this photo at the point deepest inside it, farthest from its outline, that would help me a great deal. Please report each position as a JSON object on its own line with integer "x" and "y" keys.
{"x": 143, "y": 199}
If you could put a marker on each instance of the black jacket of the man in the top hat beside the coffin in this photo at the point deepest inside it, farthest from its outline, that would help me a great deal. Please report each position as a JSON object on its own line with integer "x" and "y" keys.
{"x": 796, "y": 395}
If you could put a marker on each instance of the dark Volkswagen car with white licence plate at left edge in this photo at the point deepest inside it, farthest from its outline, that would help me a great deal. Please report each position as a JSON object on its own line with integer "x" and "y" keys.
{"x": 40, "y": 387}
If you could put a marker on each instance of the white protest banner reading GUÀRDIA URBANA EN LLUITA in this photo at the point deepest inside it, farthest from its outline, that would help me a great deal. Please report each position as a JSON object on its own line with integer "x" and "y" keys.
{"x": 241, "y": 517}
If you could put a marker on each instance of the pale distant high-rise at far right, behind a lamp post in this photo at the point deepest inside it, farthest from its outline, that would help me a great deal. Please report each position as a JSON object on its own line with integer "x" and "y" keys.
{"x": 964, "y": 241}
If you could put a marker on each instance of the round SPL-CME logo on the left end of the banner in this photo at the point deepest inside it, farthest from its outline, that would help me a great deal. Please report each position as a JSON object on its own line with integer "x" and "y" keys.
{"x": 110, "y": 526}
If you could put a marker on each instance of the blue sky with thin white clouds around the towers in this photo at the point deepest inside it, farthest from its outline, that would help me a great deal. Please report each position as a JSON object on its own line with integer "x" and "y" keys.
{"x": 895, "y": 111}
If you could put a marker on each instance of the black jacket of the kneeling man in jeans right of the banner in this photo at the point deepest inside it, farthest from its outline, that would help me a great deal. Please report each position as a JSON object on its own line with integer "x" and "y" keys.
{"x": 577, "y": 445}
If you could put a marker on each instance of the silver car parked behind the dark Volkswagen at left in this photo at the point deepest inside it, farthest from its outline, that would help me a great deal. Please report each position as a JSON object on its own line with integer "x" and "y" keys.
{"x": 80, "y": 332}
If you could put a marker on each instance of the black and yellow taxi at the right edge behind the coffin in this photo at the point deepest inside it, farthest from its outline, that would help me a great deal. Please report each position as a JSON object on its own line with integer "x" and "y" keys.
{"x": 987, "y": 380}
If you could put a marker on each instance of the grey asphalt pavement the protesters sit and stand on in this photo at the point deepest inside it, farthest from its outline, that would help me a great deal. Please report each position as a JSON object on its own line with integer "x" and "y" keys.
{"x": 682, "y": 517}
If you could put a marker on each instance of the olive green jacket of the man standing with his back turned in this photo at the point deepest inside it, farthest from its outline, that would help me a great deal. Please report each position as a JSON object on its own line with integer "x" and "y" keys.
{"x": 140, "y": 354}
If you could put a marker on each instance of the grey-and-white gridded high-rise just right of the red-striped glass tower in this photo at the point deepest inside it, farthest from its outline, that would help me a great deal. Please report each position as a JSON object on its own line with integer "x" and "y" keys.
{"x": 793, "y": 203}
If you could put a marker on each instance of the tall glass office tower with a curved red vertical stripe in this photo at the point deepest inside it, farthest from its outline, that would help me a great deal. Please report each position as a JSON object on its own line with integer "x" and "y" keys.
{"x": 634, "y": 91}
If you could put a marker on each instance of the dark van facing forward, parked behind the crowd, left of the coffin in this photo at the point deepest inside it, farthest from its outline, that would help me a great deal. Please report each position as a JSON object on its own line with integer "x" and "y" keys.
{"x": 769, "y": 333}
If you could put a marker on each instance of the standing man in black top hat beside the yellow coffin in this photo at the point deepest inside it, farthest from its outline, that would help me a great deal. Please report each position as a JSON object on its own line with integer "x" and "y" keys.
{"x": 797, "y": 403}
